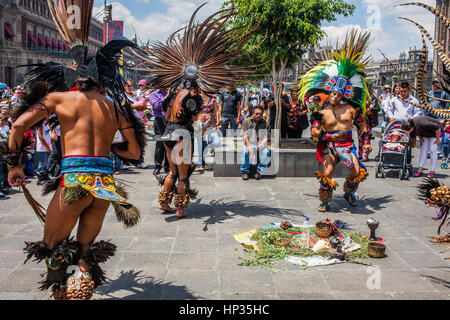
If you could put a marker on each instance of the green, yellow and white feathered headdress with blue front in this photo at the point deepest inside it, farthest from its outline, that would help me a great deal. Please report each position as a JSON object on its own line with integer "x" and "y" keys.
{"x": 342, "y": 72}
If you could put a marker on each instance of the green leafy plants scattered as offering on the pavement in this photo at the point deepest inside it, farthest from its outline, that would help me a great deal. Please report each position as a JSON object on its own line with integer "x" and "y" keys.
{"x": 269, "y": 253}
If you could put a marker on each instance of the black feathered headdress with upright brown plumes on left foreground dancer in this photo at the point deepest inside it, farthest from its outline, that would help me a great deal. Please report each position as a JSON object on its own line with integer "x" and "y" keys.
{"x": 73, "y": 18}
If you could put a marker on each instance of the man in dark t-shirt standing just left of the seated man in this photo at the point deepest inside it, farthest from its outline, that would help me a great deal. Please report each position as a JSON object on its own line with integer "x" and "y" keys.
{"x": 229, "y": 109}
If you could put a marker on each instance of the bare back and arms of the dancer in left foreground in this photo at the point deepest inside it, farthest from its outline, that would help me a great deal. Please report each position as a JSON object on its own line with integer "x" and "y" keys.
{"x": 88, "y": 126}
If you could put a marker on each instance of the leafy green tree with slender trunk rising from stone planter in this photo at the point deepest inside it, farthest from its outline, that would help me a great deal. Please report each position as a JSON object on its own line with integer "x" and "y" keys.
{"x": 288, "y": 28}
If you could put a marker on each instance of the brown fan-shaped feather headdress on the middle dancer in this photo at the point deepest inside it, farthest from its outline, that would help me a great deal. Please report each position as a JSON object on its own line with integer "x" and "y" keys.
{"x": 199, "y": 55}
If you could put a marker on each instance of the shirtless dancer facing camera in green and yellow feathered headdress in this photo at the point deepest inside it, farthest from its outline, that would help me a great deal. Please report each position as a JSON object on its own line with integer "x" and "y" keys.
{"x": 342, "y": 79}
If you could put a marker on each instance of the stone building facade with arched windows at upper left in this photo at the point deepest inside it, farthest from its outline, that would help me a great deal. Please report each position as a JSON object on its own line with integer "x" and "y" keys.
{"x": 28, "y": 35}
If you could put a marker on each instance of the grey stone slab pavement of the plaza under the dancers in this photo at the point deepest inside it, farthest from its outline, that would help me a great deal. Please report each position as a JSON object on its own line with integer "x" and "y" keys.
{"x": 197, "y": 258}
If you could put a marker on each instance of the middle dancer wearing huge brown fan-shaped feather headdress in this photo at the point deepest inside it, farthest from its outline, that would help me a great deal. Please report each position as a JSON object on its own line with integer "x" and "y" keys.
{"x": 186, "y": 70}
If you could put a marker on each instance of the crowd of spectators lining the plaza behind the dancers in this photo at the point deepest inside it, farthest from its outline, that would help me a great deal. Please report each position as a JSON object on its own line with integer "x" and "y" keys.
{"x": 229, "y": 112}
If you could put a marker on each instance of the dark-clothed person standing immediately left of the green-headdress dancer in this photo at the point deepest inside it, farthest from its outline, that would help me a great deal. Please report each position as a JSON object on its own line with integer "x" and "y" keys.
{"x": 297, "y": 116}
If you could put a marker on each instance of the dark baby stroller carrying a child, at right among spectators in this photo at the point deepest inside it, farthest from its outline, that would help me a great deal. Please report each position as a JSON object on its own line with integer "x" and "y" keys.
{"x": 395, "y": 152}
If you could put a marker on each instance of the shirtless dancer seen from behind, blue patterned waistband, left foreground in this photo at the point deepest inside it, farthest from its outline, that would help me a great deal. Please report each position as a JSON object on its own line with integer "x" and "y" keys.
{"x": 88, "y": 121}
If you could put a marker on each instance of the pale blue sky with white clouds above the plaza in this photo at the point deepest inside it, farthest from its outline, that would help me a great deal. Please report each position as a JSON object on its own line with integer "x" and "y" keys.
{"x": 156, "y": 19}
